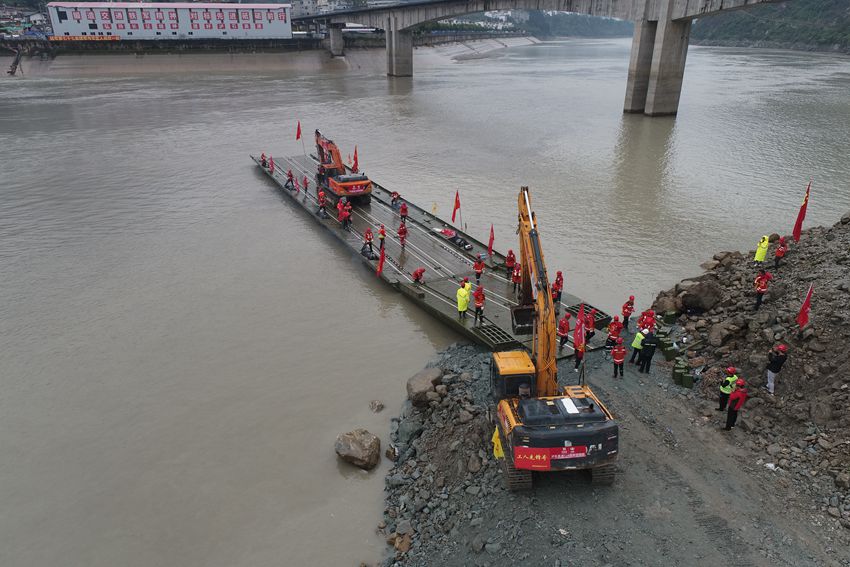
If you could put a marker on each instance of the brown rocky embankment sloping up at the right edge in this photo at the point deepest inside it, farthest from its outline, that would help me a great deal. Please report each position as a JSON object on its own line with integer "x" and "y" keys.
{"x": 802, "y": 434}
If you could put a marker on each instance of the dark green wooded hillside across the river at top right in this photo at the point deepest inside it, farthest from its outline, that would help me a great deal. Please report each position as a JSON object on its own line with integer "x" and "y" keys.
{"x": 815, "y": 24}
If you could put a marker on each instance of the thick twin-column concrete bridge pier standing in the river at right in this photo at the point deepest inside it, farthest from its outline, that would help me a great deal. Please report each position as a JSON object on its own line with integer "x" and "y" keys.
{"x": 657, "y": 64}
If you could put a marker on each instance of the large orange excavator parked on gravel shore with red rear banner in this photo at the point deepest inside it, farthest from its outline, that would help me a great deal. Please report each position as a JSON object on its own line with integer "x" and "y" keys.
{"x": 540, "y": 428}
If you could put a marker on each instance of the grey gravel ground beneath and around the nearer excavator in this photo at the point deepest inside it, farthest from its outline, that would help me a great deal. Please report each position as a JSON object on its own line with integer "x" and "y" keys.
{"x": 687, "y": 493}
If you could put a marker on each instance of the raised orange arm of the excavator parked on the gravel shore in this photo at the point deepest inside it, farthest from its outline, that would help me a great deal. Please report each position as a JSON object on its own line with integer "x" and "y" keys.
{"x": 536, "y": 295}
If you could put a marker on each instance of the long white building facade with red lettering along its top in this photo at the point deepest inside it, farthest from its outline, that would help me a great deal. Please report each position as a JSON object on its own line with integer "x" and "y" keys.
{"x": 166, "y": 20}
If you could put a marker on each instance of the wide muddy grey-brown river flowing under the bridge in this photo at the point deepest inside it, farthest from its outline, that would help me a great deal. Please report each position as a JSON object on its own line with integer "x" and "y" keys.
{"x": 180, "y": 347}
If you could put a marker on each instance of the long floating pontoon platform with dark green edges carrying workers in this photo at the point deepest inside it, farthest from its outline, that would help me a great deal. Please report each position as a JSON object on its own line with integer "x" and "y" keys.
{"x": 445, "y": 263}
